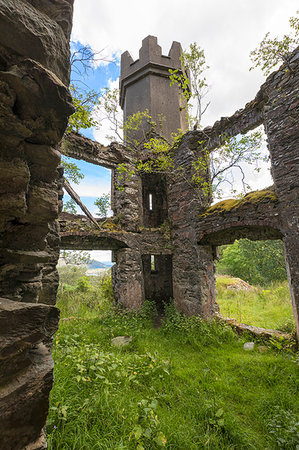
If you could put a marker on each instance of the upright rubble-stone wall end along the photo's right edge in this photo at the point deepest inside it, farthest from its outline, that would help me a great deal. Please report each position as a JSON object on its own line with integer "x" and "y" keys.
{"x": 281, "y": 125}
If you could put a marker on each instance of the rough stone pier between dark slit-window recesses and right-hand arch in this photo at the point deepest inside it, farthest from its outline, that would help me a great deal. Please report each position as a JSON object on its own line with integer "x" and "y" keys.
{"x": 193, "y": 267}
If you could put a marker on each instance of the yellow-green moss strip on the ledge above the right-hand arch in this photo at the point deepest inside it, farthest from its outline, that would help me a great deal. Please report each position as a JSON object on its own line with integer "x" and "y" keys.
{"x": 253, "y": 198}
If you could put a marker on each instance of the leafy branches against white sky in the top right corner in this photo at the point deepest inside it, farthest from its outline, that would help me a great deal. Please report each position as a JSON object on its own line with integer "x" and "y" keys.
{"x": 274, "y": 51}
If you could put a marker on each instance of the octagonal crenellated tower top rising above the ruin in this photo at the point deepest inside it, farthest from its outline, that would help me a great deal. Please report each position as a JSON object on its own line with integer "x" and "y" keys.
{"x": 145, "y": 85}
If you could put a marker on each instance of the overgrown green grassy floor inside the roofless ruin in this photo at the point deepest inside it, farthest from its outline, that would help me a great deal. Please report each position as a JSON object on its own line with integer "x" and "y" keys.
{"x": 185, "y": 385}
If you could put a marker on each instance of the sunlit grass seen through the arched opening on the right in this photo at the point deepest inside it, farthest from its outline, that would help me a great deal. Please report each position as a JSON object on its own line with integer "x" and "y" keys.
{"x": 267, "y": 308}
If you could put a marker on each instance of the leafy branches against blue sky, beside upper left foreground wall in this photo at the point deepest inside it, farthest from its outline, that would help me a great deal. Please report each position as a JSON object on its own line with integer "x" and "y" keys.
{"x": 84, "y": 103}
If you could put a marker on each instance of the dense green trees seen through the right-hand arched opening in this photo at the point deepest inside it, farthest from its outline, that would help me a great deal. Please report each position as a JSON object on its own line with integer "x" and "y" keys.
{"x": 258, "y": 262}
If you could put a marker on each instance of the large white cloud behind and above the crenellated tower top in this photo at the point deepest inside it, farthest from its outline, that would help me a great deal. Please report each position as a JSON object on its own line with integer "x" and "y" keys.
{"x": 227, "y": 30}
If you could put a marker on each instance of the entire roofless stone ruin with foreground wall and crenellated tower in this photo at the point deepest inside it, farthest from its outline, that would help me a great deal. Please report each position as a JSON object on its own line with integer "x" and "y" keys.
{"x": 163, "y": 234}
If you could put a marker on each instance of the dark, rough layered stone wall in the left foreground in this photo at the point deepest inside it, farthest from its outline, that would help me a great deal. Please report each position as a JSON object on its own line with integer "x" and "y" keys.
{"x": 35, "y": 105}
